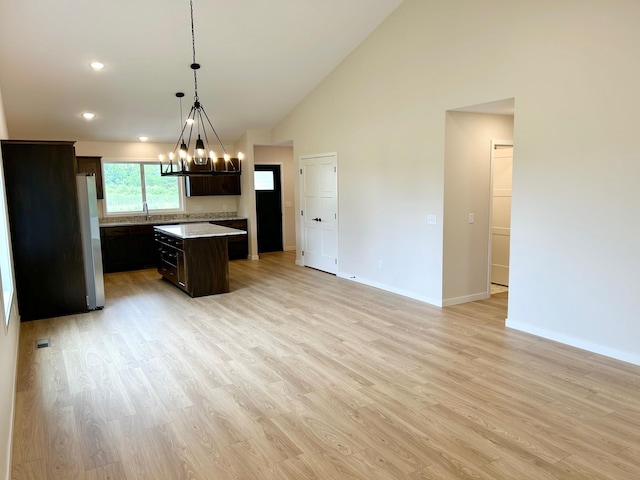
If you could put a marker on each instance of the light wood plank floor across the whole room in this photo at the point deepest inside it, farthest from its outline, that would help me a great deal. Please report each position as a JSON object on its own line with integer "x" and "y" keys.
{"x": 297, "y": 374}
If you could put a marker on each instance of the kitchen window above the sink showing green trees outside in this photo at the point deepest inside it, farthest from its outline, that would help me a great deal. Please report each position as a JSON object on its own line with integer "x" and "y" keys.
{"x": 130, "y": 187}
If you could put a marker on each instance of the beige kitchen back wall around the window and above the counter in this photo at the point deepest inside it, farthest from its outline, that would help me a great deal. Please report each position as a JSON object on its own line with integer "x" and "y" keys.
{"x": 150, "y": 151}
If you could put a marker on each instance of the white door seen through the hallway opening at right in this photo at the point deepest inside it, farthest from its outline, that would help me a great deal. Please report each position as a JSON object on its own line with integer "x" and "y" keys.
{"x": 502, "y": 169}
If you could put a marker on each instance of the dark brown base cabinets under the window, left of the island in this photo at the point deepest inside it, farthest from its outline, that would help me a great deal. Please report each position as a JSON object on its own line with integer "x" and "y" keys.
{"x": 128, "y": 248}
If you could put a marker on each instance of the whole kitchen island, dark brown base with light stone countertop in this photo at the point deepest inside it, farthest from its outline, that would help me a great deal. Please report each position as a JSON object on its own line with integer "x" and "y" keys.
{"x": 194, "y": 256}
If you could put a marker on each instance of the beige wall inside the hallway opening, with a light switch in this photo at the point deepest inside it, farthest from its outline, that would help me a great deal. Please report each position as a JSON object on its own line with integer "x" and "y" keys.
{"x": 467, "y": 177}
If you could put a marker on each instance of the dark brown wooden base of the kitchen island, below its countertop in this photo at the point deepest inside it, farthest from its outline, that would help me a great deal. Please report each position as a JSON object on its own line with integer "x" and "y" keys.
{"x": 198, "y": 266}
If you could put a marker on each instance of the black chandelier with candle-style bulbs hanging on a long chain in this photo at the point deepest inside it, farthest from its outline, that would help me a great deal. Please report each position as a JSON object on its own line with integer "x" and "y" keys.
{"x": 200, "y": 159}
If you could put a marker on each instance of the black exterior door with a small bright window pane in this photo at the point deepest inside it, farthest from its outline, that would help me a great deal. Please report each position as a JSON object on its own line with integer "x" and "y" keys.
{"x": 268, "y": 208}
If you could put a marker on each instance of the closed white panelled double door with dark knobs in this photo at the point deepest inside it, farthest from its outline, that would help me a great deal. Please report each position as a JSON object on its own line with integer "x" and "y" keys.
{"x": 319, "y": 212}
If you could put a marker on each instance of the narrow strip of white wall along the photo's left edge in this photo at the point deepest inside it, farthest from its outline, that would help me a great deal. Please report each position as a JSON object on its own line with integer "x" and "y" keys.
{"x": 8, "y": 356}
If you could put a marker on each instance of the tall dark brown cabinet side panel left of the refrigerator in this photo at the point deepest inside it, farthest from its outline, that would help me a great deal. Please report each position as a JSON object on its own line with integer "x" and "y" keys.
{"x": 42, "y": 201}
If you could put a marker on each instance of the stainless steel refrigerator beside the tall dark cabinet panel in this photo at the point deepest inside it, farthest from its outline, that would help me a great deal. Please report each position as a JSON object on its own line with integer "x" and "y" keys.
{"x": 90, "y": 229}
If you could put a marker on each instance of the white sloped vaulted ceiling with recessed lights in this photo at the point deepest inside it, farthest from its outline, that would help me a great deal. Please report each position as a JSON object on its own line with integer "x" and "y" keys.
{"x": 259, "y": 59}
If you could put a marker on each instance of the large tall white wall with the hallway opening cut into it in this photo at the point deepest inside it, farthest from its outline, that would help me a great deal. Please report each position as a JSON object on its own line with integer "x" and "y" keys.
{"x": 574, "y": 256}
